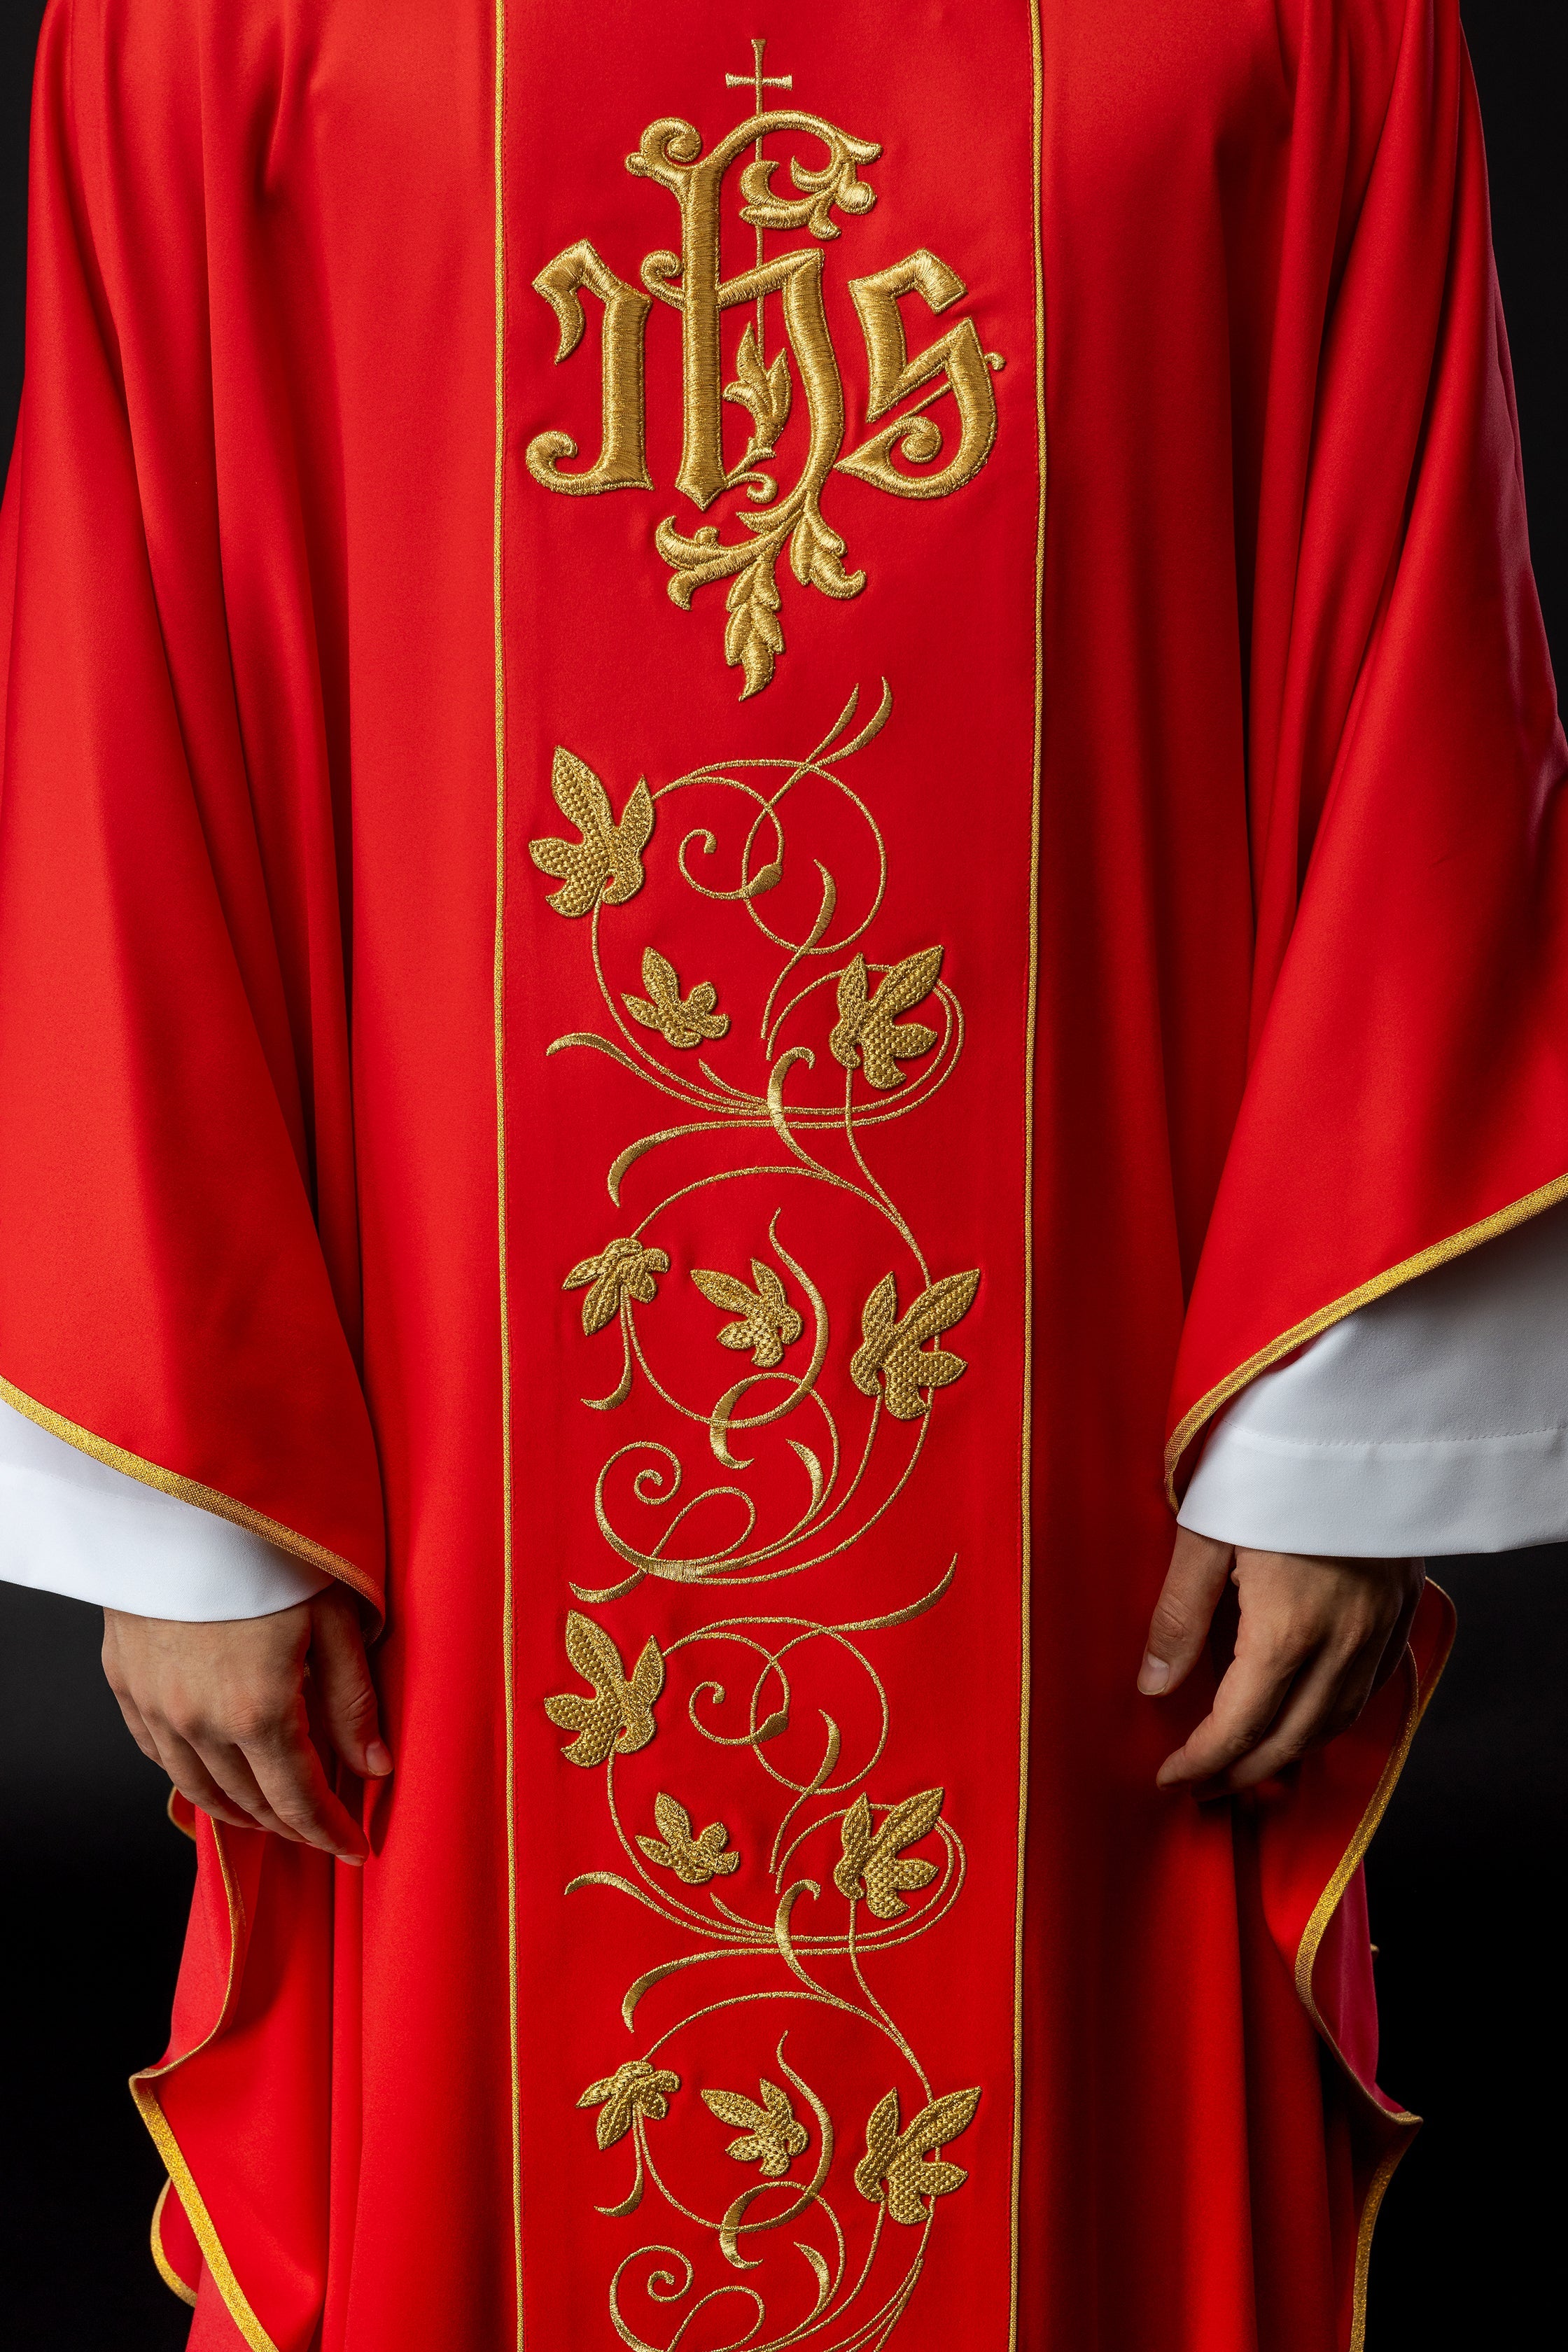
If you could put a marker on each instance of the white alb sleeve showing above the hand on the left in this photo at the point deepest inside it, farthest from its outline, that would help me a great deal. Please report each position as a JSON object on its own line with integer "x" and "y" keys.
{"x": 74, "y": 1525}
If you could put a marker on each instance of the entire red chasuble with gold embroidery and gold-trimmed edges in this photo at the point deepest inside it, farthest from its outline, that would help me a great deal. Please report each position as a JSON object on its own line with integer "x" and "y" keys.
{"x": 763, "y": 796}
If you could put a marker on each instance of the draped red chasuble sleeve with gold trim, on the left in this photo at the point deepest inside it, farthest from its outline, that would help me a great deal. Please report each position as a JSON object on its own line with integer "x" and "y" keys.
{"x": 180, "y": 1283}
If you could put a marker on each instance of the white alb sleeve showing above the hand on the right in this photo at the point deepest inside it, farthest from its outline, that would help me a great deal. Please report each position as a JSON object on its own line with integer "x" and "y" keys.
{"x": 1430, "y": 1422}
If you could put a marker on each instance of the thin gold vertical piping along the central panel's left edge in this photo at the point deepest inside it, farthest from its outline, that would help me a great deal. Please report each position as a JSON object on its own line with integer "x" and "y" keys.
{"x": 509, "y": 1638}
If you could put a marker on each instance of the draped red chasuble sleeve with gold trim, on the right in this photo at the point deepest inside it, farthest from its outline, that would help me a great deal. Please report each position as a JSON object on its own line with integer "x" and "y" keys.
{"x": 1409, "y": 1031}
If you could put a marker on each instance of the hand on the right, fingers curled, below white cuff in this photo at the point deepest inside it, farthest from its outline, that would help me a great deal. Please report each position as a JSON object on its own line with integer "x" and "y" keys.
{"x": 1313, "y": 1641}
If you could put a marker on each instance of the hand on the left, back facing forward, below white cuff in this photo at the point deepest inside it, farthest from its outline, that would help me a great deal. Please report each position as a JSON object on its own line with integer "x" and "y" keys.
{"x": 243, "y": 1711}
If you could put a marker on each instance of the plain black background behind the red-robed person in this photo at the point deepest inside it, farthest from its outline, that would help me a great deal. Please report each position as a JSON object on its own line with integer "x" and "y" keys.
{"x": 1466, "y": 1878}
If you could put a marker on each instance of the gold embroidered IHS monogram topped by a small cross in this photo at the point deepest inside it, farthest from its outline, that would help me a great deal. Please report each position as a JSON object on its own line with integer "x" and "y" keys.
{"x": 695, "y": 286}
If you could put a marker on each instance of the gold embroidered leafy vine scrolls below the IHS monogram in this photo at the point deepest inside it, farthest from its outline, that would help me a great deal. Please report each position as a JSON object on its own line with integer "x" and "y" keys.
{"x": 847, "y": 1050}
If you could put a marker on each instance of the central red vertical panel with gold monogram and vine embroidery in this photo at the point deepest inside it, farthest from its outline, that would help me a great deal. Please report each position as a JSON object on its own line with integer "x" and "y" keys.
{"x": 765, "y": 1029}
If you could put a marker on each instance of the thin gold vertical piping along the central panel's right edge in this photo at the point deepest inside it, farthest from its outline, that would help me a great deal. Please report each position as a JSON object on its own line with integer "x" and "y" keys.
{"x": 1028, "y": 1147}
